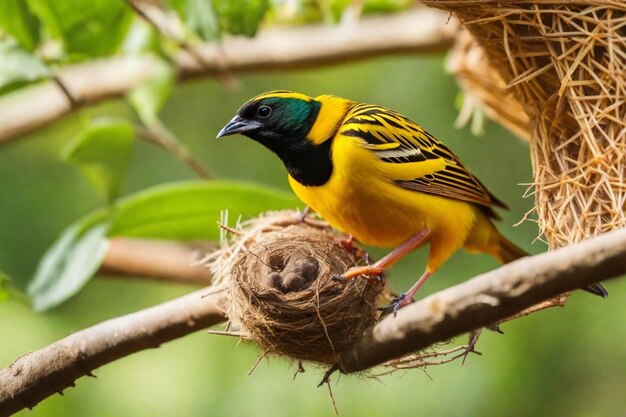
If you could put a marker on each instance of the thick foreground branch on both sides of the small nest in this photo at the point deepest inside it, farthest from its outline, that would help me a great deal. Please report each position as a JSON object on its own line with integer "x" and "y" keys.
{"x": 481, "y": 301}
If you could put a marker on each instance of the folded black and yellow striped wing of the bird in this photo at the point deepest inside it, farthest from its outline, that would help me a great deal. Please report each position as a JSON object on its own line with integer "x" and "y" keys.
{"x": 394, "y": 139}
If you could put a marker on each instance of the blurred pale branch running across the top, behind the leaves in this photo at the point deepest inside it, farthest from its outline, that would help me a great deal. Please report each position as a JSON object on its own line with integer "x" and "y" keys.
{"x": 419, "y": 30}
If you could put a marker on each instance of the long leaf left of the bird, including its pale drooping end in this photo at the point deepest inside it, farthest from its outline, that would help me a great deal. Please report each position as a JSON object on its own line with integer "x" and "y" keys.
{"x": 184, "y": 211}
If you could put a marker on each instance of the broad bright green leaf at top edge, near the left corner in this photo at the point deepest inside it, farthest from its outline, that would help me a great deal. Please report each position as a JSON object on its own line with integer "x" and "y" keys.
{"x": 87, "y": 28}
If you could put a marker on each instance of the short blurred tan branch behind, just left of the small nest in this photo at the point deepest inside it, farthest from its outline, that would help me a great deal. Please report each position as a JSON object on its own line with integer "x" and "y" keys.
{"x": 161, "y": 260}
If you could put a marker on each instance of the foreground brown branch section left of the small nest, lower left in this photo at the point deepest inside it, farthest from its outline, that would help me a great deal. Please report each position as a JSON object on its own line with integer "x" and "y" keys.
{"x": 39, "y": 374}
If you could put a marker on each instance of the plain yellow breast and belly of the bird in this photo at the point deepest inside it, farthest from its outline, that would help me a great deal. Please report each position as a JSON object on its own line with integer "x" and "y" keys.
{"x": 360, "y": 200}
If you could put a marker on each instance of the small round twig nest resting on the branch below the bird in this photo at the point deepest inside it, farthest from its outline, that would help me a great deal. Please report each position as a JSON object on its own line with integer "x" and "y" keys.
{"x": 278, "y": 272}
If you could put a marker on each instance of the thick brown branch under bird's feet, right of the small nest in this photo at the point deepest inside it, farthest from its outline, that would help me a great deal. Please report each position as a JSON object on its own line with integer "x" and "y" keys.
{"x": 489, "y": 298}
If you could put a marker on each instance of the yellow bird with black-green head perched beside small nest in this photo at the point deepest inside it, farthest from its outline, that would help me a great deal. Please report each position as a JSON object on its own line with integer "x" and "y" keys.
{"x": 379, "y": 177}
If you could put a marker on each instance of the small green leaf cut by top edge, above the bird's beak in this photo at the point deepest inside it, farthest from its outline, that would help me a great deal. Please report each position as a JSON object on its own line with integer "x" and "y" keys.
{"x": 240, "y": 17}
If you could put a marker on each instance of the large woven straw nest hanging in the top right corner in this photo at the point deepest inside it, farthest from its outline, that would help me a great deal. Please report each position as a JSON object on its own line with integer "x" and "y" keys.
{"x": 564, "y": 64}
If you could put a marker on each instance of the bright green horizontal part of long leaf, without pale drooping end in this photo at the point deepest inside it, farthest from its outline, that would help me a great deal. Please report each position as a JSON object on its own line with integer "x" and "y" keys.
{"x": 190, "y": 210}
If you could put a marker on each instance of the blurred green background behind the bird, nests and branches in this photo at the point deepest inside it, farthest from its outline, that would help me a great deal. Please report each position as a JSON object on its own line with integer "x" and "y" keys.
{"x": 569, "y": 362}
